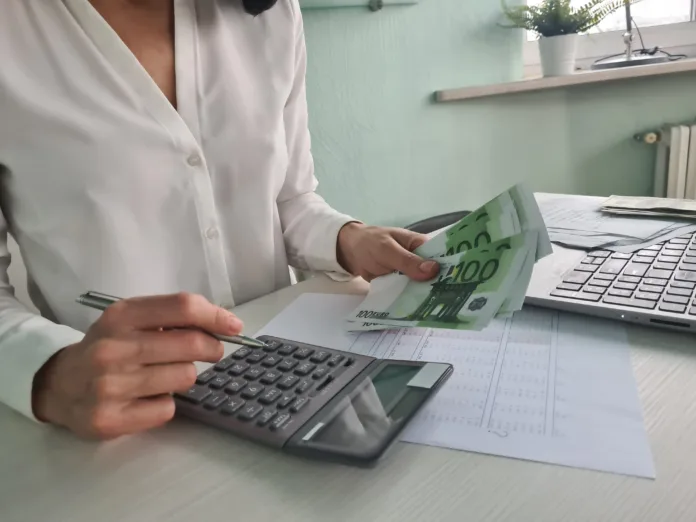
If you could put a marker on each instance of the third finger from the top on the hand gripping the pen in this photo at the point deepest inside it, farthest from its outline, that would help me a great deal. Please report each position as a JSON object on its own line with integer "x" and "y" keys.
{"x": 148, "y": 381}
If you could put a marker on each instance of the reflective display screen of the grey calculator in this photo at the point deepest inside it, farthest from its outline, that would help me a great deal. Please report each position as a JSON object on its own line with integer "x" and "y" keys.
{"x": 362, "y": 419}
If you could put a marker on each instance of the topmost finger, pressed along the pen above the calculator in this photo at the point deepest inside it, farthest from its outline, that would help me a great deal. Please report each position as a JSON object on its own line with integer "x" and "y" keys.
{"x": 170, "y": 311}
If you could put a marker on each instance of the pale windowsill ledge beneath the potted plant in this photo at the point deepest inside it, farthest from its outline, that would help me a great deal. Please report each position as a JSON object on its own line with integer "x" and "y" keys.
{"x": 579, "y": 78}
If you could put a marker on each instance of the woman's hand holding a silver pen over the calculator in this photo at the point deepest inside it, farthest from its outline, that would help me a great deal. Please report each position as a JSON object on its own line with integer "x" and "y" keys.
{"x": 119, "y": 379}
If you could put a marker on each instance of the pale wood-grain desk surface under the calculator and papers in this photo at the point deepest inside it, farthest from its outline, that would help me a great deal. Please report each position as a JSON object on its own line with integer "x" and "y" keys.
{"x": 186, "y": 472}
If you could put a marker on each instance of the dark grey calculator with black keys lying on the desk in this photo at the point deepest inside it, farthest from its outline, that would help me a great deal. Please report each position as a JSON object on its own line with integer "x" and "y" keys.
{"x": 312, "y": 401}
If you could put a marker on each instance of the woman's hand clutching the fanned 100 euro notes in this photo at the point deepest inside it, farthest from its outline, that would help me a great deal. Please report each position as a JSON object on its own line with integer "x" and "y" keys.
{"x": 370, "y": 252}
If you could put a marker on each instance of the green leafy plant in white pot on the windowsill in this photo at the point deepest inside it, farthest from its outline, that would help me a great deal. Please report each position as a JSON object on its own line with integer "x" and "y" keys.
{"x": 558, "y": 23}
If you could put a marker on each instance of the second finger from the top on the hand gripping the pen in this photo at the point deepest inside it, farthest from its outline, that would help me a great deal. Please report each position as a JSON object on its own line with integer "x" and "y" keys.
{"x": 172, "y": 346}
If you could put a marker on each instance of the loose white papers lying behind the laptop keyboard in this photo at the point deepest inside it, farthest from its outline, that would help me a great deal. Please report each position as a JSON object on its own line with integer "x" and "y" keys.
{"x": 577, "y": 222}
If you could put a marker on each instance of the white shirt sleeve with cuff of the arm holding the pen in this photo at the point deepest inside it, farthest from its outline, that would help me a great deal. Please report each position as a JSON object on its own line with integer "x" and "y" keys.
{"x": 27, "y": 340}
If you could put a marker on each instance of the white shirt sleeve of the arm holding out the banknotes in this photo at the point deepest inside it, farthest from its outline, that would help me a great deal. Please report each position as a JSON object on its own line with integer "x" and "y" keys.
{"x": 310, "y": 225}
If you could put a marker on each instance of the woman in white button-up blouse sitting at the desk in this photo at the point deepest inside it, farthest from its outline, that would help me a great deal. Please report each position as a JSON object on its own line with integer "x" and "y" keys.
{"x": 159, "y": 148}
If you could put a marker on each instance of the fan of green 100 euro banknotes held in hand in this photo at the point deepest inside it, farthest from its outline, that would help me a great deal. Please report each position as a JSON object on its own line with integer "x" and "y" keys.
{"x": 486, "y": 262}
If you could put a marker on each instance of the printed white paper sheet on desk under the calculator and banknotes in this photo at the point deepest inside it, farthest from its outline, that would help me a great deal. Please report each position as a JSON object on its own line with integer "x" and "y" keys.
{"x": 543, "y": 386}
